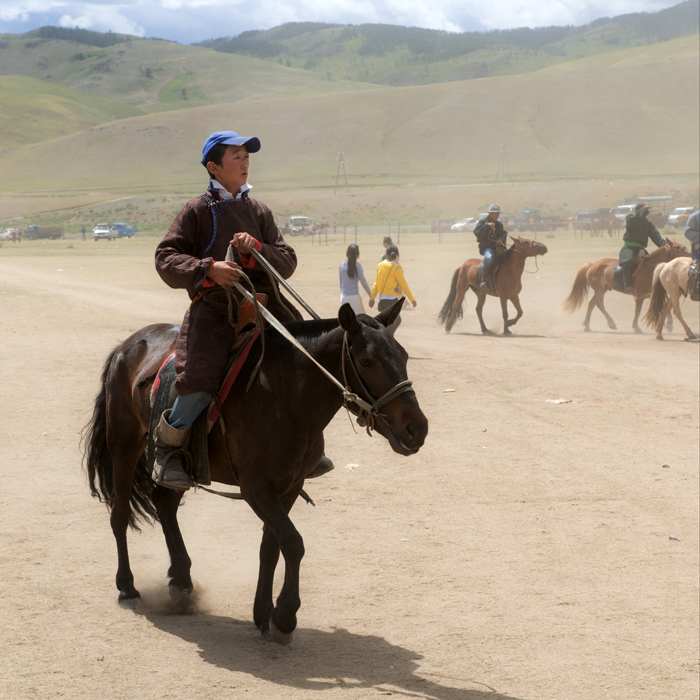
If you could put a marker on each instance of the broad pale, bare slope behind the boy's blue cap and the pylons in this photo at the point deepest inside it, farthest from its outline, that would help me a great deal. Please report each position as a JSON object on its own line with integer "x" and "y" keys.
{"x": 615, "y": 114}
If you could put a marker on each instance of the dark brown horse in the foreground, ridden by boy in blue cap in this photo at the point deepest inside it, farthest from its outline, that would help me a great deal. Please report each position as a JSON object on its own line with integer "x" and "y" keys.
{"x": 273, "y": 439}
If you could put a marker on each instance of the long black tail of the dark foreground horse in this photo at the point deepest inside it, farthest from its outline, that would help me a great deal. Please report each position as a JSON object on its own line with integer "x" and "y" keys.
{"x": 98, "y": 464}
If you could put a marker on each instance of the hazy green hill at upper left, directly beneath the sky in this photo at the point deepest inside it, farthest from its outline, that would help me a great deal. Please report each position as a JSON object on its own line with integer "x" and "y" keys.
{"x": 151, "y": 74}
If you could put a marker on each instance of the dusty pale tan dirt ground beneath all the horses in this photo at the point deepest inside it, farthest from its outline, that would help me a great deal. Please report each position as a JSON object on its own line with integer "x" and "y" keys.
{"x": 531, "y": 551}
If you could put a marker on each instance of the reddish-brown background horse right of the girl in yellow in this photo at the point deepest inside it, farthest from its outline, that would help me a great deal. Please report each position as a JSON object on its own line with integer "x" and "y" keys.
{"x": 506, "y": 283}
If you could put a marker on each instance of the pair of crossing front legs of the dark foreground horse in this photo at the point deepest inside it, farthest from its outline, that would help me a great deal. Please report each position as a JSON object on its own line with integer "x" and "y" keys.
{"x": 282, "y": 620}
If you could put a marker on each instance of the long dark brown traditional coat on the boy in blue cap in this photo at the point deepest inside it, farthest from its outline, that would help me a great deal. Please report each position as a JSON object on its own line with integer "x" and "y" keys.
{"x": 200, "y": 234}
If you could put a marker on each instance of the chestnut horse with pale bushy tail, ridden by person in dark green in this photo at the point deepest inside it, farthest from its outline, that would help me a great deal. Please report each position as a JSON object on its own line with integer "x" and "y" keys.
{"x": 599, "y": 277}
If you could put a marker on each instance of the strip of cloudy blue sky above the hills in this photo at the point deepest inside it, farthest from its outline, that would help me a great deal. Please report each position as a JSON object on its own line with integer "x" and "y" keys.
{"x": 188, "y": 21}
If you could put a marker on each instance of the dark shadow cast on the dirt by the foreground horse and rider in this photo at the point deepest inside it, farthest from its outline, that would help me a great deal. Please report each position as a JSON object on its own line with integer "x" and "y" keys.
{"x": 317, "y": 660}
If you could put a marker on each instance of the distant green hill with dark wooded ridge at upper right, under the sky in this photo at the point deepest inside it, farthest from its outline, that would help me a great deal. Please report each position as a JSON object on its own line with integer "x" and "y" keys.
{"x": 393, "y": 55}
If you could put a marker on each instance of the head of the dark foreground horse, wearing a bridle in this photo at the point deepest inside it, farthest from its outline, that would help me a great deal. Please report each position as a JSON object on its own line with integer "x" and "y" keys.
{"x": 375, "y": 370}
